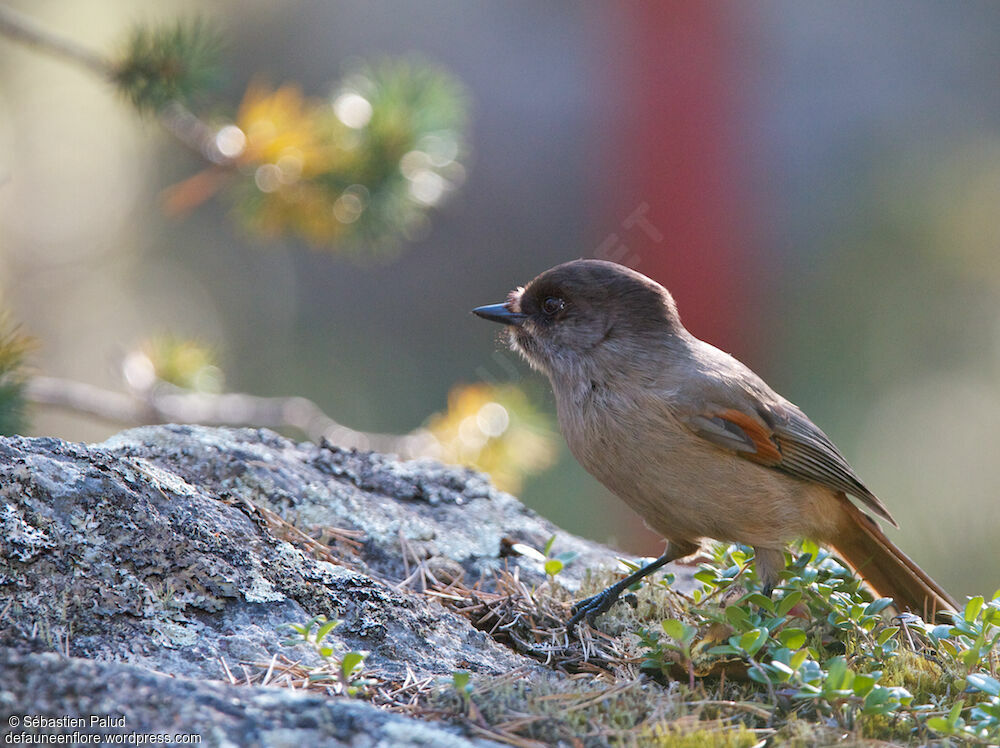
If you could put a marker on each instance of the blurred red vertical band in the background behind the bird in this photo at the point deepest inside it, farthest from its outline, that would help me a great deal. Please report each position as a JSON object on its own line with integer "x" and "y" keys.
{"x": 678, "y": 171}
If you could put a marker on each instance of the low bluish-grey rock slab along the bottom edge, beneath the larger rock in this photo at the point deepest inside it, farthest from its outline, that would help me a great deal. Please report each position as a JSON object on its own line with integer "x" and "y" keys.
{"x": 139, "y": 700}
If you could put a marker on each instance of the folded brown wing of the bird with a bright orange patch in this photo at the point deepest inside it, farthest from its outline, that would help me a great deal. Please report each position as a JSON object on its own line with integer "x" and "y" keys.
{"x": 783, "y": 438}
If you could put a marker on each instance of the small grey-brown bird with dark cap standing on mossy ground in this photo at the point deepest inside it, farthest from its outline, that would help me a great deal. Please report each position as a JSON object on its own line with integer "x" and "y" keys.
{"x": 690, "y": 438}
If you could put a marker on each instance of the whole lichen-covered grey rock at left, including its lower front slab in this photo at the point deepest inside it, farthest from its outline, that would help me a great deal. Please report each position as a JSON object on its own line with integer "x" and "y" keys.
{"x": 149, "y": 562}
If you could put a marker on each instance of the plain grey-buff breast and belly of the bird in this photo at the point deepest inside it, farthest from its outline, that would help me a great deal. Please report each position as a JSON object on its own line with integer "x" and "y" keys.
{"x": 681, "y": 485}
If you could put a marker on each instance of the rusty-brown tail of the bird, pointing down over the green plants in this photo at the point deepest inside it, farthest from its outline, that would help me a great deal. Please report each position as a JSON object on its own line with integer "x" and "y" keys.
{"x": 889, "y": 571}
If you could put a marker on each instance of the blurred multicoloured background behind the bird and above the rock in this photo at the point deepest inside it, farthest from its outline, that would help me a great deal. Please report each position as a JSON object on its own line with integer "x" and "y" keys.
{"x": 818, "y": 185}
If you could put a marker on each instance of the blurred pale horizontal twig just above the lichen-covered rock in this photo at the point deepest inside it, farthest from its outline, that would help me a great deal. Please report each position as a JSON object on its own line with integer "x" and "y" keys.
{"x": 164, "y": 404}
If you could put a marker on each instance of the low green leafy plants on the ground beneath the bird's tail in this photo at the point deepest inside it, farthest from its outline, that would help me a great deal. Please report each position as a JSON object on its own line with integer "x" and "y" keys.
{"x": 822, "y": 648}
